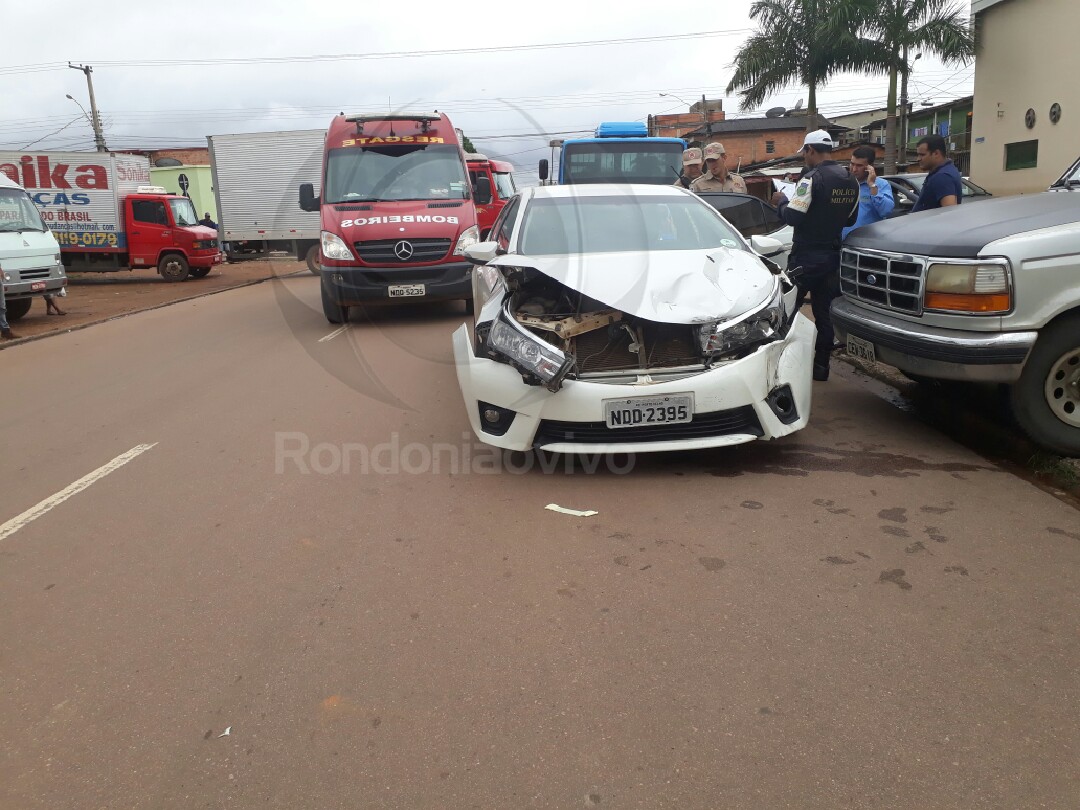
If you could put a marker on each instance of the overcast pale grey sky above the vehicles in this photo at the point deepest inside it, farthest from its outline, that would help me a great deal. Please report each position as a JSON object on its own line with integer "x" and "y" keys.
{"x": 491, "y": 94}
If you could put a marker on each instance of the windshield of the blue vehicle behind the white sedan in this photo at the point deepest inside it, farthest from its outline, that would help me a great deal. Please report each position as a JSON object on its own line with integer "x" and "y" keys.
{"x": 623, "y": 163}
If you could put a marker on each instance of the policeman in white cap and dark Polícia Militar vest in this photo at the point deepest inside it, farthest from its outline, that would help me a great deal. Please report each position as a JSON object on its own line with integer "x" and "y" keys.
{"x": 826, "y": 202}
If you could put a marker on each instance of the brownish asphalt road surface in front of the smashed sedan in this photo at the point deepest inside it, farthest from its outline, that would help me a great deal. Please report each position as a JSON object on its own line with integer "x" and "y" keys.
{"x": 275, "y": 600}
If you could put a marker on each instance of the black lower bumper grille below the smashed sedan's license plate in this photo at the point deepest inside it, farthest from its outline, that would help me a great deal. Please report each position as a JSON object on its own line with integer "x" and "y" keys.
{"x": 705, "y": 426}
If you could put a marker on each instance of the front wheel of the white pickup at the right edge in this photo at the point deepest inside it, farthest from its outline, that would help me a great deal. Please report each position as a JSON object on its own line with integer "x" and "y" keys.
{"x": 1046, "y": 400}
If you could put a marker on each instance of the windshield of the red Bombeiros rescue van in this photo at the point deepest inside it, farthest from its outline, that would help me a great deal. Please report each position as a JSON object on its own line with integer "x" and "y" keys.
{"x": 429, "y": 172}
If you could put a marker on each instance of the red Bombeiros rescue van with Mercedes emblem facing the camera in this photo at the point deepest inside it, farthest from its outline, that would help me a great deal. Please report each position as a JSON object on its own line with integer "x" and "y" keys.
{"x": 397, "y": 211}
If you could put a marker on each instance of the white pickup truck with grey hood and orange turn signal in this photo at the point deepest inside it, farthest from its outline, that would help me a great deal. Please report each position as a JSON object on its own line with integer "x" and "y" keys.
{"x": 988, "y": 293}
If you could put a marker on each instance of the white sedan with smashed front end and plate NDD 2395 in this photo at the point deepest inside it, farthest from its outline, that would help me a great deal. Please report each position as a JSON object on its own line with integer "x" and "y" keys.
{"x": 629, "y": 319}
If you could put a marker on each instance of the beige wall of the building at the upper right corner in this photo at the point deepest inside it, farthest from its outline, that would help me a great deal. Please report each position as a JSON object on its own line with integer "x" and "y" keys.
{"x": 1027, "y": 60}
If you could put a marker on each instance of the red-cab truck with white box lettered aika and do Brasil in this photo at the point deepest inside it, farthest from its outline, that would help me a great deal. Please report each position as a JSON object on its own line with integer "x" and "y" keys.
{"x": 107, "y": 218}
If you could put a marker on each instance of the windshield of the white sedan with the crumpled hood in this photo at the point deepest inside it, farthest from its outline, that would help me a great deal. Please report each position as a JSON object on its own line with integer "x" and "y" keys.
{"x": 623, "y": 224}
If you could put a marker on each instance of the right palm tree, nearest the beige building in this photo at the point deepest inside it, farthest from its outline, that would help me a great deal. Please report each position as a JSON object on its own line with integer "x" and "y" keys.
{"x": 901, "y": 26}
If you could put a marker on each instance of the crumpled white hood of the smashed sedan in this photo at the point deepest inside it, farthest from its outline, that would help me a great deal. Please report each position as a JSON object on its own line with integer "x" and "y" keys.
{"x": 671, "y": 287}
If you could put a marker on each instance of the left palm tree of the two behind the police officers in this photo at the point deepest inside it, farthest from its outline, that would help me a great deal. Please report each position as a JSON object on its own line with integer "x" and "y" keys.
{"x": 807, "y": 42}
